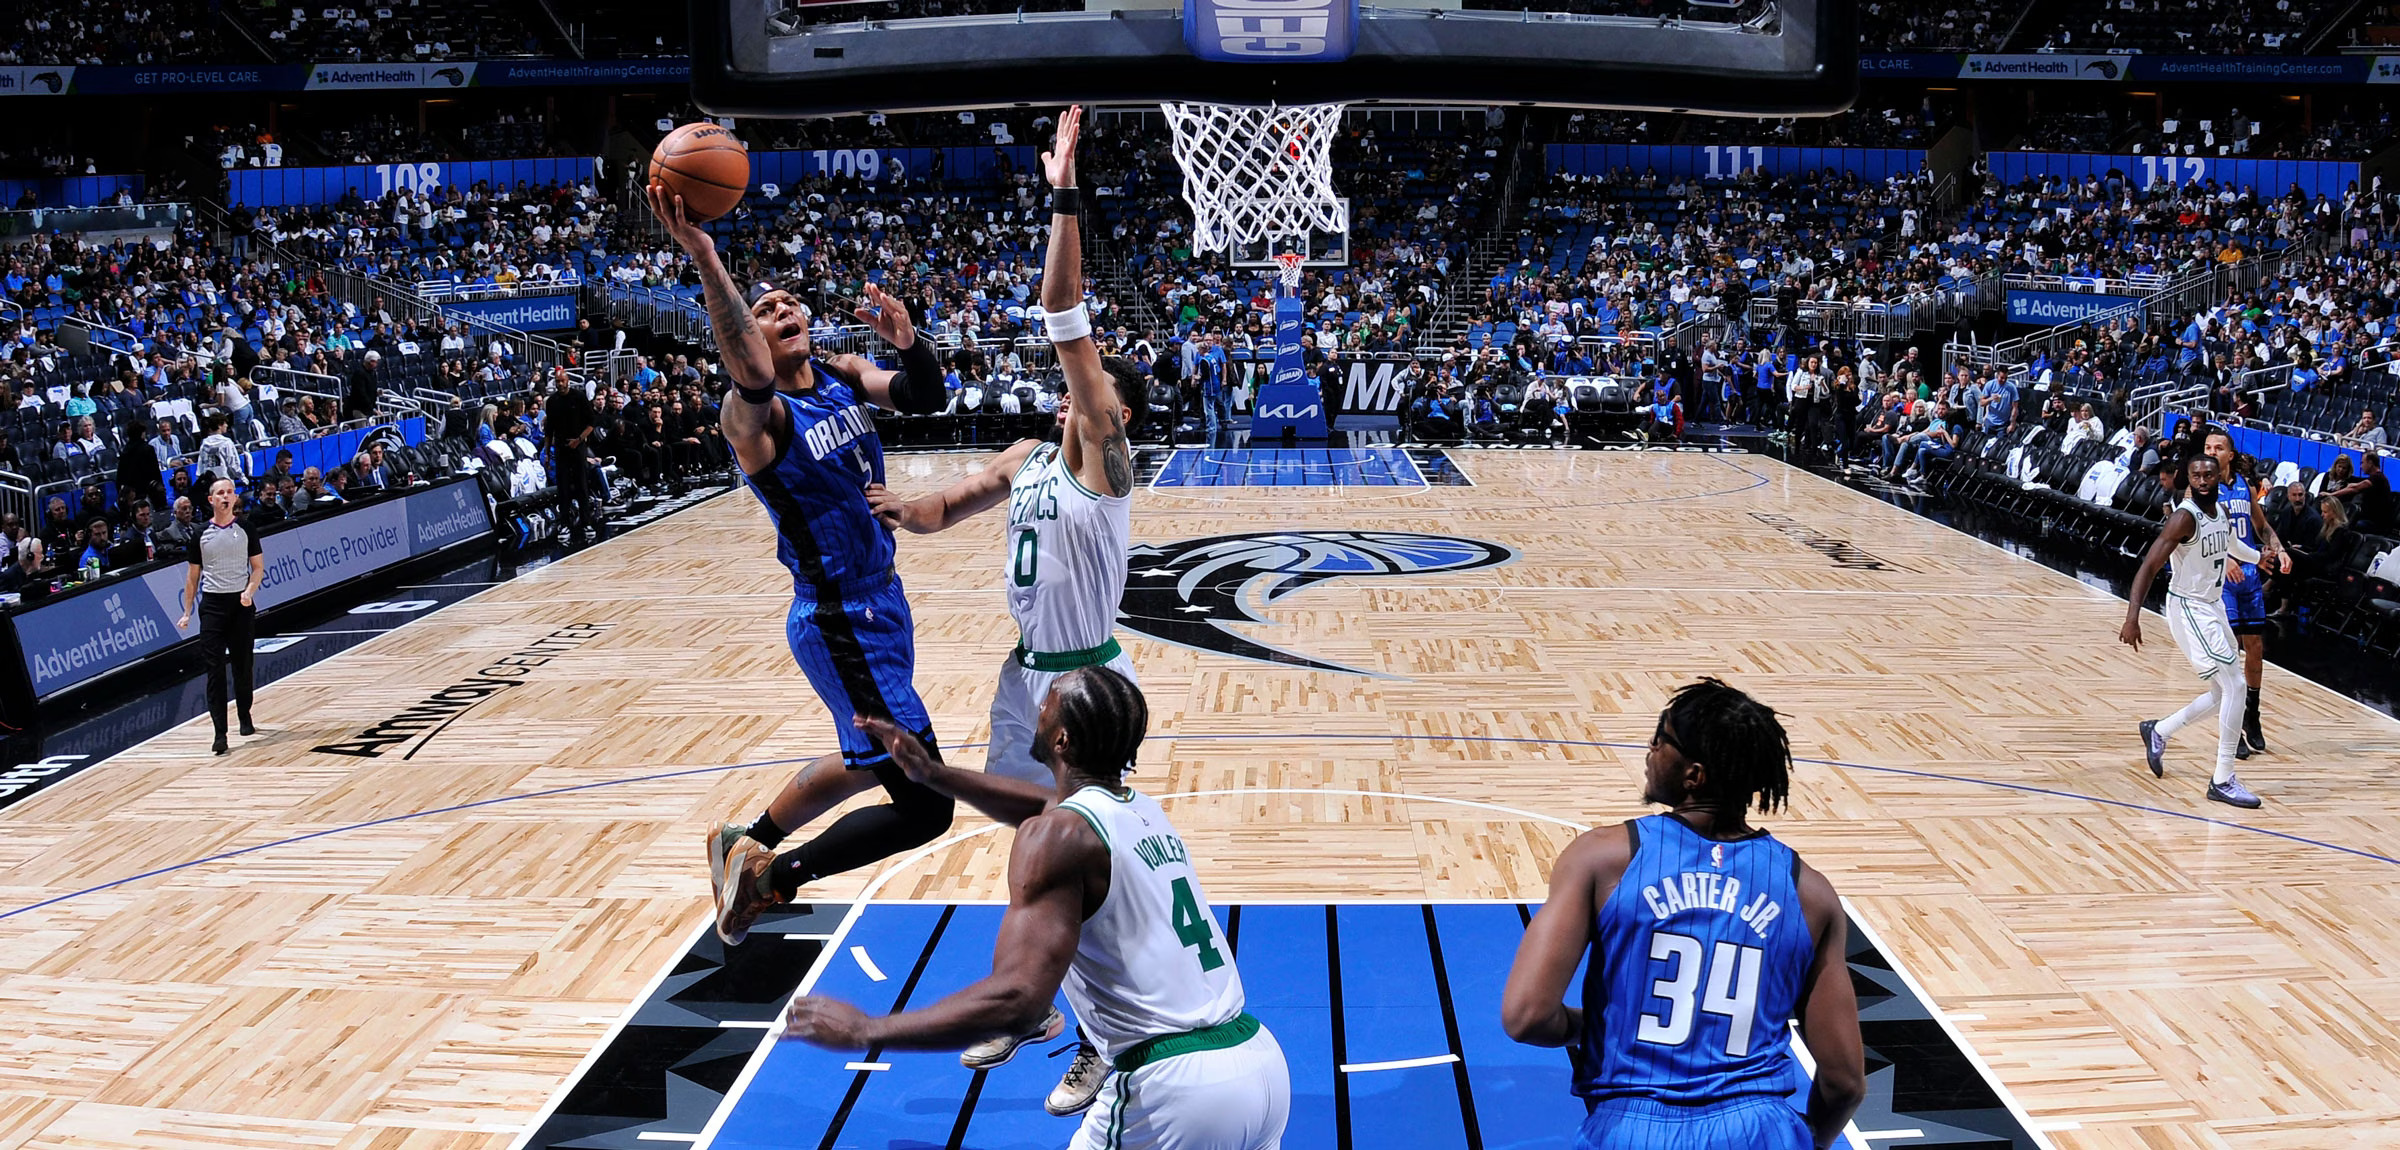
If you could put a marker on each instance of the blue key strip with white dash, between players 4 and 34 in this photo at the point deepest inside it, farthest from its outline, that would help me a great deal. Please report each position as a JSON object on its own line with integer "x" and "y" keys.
{"x": 1393, "y": 1012}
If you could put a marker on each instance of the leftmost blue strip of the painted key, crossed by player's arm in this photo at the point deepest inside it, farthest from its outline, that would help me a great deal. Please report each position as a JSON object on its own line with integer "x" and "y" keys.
{"x": 798, "y": 1091}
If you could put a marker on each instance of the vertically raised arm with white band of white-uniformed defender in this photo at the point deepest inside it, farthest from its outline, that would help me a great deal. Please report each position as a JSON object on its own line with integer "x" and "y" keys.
{"x": 1096, "y": 429}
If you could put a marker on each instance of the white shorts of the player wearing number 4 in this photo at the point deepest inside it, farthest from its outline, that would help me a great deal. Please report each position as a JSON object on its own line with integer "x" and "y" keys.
{"x": 1230, "y": 1098}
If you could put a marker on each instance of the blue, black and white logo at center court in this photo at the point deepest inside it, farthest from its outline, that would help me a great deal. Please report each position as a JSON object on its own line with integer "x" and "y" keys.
{"x": 1194, "y": 592}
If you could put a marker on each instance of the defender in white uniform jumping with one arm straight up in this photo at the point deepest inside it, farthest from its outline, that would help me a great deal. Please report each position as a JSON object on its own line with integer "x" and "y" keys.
{"x": 1069, "y": 527}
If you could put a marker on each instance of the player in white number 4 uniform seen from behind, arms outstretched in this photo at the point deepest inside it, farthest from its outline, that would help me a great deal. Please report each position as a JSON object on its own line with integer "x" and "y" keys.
{"x": 1103, "y": 904}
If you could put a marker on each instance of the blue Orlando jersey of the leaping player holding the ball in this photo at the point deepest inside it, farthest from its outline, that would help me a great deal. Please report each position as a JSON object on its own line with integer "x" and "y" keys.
{"x": 817, "y": 491}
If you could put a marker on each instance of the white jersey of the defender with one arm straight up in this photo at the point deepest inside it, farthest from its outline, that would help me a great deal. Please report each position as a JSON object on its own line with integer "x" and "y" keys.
{"x": 1067, "y": 556}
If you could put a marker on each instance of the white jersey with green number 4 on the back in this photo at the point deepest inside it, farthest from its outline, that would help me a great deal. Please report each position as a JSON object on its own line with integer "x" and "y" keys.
{"x": 1153, "y": 959}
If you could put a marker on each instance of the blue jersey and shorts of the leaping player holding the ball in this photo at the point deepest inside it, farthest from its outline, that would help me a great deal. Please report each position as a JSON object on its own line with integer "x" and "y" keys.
{"x": 851, "y": 628}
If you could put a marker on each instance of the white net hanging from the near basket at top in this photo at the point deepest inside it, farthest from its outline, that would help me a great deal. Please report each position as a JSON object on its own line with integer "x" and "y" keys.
{"x": 1256, "y": 172}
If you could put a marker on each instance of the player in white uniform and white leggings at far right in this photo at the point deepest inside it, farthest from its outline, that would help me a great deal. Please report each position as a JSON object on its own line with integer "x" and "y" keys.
{"x": 2200, "y": 537}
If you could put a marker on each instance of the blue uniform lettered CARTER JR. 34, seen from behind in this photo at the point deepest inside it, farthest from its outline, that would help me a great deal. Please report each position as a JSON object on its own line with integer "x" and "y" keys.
{"x": 1700, "y": 962}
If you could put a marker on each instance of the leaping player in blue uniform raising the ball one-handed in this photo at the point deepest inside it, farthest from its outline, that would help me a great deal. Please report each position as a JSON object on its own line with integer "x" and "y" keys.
{"x": 808, "y": 445}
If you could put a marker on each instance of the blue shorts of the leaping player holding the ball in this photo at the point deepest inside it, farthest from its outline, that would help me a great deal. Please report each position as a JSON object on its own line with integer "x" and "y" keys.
{"x": 860, "y": 654}
